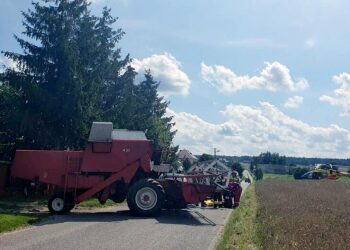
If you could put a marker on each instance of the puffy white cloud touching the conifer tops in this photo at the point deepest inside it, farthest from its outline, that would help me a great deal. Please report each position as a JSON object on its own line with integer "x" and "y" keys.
{"x": 167, "y": 70}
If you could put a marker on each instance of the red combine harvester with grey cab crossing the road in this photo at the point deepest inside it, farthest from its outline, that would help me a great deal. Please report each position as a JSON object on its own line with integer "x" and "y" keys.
{"x": 116, "y": 165}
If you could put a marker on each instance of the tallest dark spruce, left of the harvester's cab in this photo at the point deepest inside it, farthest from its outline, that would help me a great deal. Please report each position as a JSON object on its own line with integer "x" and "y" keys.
{"x": 64, "y": 74}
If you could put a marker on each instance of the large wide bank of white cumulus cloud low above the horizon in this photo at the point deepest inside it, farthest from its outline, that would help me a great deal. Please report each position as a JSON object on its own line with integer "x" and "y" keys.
{"x": 251, "y": 130}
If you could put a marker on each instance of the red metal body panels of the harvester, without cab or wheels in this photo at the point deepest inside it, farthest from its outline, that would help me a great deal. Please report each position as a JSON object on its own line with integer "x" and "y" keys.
{"x": 67, "y": 169}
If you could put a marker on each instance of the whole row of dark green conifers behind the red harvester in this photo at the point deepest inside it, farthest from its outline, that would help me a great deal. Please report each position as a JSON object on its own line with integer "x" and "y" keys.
{"x": 70, "y": 73}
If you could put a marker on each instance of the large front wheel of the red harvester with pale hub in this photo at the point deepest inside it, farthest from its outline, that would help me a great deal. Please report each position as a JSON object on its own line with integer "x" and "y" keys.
{"x": 146, "y": 197}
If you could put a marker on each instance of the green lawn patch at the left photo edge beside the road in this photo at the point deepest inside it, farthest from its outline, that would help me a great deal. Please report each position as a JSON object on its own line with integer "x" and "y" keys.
{"x": 10, "y": 222}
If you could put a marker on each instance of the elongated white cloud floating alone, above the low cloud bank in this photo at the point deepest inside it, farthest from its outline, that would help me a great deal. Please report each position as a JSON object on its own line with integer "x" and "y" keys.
{"x": 275, "y": 76}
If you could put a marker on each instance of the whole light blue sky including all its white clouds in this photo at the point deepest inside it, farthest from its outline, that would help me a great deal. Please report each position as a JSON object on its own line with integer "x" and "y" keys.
{"x": 242, "y": 76}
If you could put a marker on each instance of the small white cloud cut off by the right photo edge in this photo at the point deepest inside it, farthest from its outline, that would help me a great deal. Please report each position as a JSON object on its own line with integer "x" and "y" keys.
{"x": 341, "y": 96}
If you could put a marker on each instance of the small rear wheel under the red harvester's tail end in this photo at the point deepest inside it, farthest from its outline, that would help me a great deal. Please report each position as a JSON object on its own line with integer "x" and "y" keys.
{"x": 60, "y": 203}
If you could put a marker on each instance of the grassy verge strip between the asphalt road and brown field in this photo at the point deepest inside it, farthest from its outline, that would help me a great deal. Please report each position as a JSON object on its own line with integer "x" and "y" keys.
{"x": 240, "y": 231}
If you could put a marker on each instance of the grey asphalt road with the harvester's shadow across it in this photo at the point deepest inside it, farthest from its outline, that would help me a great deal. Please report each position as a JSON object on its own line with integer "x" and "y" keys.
{"x": 115, "y": 228}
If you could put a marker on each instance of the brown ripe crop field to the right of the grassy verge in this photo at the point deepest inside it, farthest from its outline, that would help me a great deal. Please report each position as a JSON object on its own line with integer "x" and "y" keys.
{"x": 304, "y": 214}
